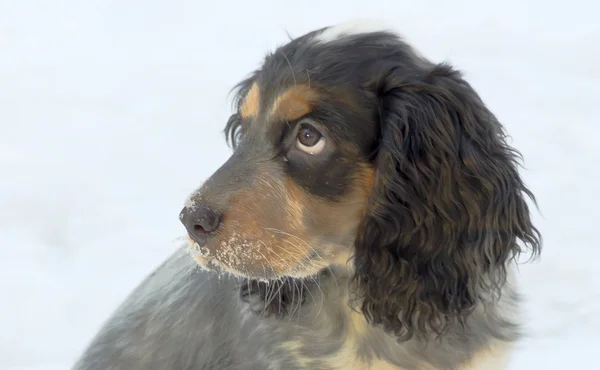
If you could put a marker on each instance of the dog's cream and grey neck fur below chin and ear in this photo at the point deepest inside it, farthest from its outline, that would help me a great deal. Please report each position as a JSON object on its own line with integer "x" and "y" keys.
{"x": 326, "y": 321}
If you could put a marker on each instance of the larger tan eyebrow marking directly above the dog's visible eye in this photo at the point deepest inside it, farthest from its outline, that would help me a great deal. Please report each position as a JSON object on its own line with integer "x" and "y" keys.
{"x": 294, "y": 103}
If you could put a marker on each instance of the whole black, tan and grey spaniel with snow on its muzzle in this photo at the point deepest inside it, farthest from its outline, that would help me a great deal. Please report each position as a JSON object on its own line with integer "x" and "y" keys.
{"x": 369, "y": 217}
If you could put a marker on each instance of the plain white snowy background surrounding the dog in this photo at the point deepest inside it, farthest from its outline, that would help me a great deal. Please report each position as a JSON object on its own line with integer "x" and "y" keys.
{"x": 111, "y": 112}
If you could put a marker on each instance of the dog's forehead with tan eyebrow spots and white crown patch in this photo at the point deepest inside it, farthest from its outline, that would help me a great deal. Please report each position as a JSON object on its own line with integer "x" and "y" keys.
{"x": 313, "y": 66}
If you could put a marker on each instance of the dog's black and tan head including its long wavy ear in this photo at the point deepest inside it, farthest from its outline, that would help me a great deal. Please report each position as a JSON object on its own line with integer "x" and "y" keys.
{"x": 349, "y": 148}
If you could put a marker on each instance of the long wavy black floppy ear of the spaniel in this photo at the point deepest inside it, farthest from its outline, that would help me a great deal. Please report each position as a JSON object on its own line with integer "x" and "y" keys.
{"x": 447, "y": 209}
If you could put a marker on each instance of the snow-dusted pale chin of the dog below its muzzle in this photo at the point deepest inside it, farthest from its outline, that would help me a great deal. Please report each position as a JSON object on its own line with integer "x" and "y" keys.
{"x": 203, "y": 258}
